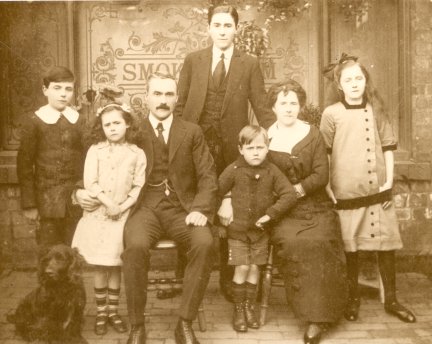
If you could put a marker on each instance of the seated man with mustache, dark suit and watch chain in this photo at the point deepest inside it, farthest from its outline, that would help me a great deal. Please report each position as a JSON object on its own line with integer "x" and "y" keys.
{"x": 178, "y": 200}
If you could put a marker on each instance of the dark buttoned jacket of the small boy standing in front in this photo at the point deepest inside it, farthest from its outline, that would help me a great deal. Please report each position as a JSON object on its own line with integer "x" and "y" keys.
{"x": 255, "y": 192}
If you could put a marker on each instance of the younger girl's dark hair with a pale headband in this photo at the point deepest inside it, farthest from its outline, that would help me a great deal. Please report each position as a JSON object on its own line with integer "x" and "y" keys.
{"x": 96, "y": 133}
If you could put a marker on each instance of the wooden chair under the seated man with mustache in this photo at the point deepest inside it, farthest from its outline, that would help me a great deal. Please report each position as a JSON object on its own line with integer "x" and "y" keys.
{"x": 173, "y": 286}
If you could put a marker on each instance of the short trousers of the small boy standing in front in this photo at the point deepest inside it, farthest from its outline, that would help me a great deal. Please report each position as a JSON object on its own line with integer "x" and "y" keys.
{"x": 247, "y": 253}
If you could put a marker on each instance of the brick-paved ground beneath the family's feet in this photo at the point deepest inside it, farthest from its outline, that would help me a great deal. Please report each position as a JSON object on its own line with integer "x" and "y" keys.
{"x": 373, "y": 327}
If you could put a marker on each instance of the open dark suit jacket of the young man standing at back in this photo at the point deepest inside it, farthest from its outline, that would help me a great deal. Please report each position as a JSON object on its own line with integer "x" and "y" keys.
{"x": 245, "y": 83}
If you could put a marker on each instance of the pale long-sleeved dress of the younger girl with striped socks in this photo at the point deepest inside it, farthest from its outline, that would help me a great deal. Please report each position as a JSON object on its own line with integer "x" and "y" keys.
{"x": 118, "y": 170}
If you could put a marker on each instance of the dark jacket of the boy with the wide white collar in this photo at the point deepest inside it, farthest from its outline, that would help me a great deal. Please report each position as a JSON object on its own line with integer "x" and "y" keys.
{"x": 49, "y": 163}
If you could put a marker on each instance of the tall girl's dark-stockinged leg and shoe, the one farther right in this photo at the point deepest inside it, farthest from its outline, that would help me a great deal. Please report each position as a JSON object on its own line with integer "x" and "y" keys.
{"x": 386, "y": 262}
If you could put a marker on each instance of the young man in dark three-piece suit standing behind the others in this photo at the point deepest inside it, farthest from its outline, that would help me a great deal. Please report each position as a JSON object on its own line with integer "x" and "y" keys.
{"x": 215, "y": 86}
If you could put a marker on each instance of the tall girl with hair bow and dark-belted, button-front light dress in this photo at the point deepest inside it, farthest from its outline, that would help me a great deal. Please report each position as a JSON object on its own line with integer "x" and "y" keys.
{"x": 360, "y": 145}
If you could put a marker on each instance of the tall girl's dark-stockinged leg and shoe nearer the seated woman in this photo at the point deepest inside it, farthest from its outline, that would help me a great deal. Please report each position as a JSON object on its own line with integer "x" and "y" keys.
{"x": 353, "y": 305}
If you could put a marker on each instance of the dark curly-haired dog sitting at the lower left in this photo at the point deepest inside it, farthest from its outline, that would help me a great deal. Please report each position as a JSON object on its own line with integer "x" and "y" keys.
{"x": 53, "y": 312}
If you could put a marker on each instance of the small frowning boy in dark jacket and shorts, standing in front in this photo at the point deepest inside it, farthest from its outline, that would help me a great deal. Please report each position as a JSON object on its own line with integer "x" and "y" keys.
{"x": 261, "y": 194}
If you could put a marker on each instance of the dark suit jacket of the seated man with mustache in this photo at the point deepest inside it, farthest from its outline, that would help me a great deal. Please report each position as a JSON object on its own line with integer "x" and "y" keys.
{"x": 191, "y": 168}
